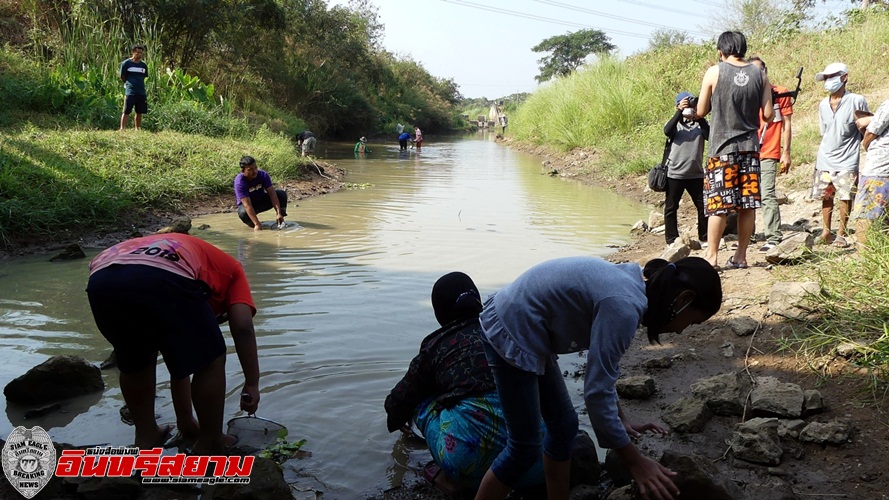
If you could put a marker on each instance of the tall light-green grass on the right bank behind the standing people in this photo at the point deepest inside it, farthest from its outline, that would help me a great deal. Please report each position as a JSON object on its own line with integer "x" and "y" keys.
{"x": 619, "y": 108}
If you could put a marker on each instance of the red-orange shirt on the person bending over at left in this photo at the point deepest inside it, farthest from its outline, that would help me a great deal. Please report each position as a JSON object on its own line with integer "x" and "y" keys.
{"x": 186, "y": 256}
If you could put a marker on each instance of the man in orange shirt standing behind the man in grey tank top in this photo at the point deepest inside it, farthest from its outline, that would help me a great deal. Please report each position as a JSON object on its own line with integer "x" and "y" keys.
{"x": 774, "y": 157}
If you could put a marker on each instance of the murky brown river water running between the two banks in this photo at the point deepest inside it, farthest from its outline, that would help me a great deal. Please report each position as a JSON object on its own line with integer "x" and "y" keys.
{"x": 343, "y": 297}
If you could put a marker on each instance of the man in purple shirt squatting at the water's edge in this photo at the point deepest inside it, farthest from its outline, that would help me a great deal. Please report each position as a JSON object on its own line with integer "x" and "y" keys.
{"x": 256, "y": 194}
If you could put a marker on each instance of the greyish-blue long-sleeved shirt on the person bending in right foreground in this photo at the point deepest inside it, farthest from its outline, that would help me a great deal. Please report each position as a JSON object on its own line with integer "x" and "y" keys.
{"x": 567, "y": 305}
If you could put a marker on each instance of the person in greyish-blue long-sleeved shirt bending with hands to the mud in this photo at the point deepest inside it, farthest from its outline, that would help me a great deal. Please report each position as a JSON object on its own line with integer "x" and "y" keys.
{"x": 568, "y": 305}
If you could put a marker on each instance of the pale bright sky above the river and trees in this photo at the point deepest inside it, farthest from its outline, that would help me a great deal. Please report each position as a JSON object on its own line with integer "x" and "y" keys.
{"x": 485, "y": 45}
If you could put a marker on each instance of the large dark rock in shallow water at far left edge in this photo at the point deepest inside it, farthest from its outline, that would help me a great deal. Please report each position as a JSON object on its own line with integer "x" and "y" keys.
{"x": 59, "y": 377}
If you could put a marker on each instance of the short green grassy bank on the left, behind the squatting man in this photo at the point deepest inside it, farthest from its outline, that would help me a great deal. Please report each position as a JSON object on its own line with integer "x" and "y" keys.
{"x": 71, "y": 179}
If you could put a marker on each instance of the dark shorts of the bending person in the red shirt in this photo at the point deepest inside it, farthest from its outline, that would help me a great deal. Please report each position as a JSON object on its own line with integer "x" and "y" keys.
{"x": 142, "y": 310}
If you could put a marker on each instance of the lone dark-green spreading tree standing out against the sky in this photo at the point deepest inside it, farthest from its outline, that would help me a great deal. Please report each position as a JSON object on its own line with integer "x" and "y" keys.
{"x": 569, "y": 51}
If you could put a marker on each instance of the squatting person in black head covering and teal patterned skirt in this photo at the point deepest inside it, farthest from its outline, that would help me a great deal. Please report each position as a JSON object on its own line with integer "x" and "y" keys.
{"x": 449, "y": 393}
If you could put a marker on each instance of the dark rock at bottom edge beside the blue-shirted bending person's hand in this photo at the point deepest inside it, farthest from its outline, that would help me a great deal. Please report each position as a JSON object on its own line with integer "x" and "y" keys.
{"x": 698, "y": 478}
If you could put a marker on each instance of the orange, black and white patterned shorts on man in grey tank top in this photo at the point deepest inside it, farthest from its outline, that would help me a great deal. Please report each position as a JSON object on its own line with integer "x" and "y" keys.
{"x": 732, "y": 183}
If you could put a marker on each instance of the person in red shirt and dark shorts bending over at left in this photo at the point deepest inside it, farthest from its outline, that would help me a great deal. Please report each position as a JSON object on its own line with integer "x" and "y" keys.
{"x": 168, "y": 293}
